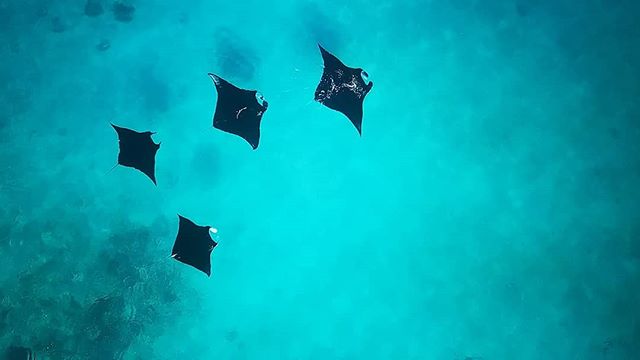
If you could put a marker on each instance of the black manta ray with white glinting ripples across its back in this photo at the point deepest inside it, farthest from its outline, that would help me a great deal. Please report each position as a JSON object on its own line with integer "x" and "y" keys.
{"x": 342, "y": 88}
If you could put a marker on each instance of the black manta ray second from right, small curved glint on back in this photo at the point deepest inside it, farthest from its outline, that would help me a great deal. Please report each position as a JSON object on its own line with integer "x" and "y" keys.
{"x": 238, "y": 111}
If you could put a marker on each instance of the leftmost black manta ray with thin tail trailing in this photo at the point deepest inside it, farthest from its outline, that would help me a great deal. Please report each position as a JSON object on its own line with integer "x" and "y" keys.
{"x": 137, "y": 150}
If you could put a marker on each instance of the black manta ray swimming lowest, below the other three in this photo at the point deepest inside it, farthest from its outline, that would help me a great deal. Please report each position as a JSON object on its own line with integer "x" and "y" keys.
{"x": 194, "y": 245}
